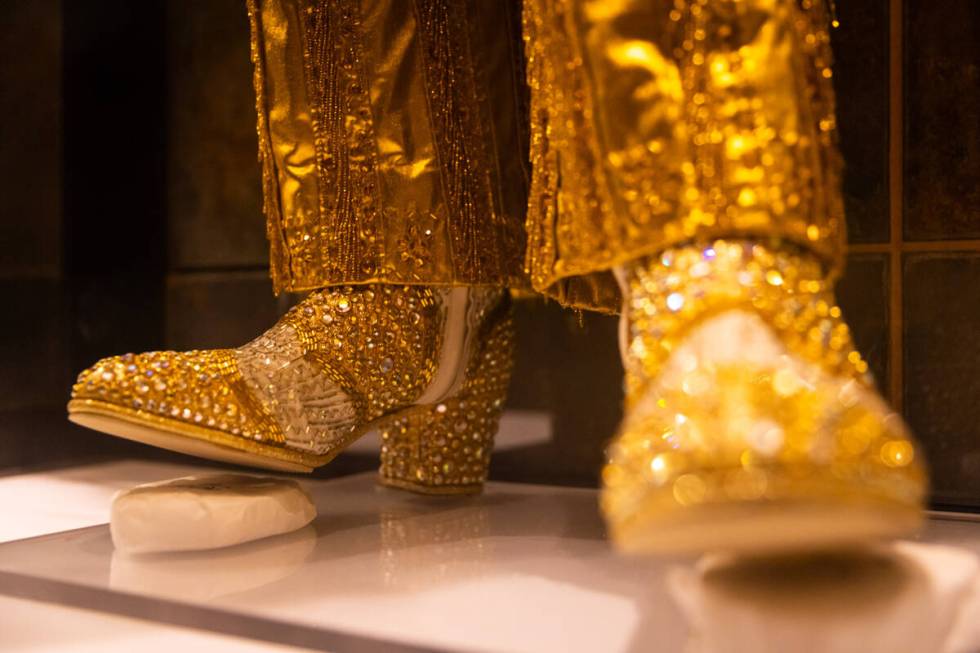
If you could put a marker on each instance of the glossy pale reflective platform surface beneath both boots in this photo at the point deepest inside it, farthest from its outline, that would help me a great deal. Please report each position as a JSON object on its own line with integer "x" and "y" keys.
{"x": 521, "y": 568}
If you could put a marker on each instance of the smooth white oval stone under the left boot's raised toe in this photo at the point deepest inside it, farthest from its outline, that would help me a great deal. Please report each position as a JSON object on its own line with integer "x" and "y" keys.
{"x": 206, "y": 512}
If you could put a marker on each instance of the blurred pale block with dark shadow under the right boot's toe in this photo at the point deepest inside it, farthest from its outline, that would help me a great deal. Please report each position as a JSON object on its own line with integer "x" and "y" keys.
{"x": 907, "y": 596}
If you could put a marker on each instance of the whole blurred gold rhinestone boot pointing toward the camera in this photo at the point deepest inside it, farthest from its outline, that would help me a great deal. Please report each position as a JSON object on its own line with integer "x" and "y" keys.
{"x": 751, "y": 424}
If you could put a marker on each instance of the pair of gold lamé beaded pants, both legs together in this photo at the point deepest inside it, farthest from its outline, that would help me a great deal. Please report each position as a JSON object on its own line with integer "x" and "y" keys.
{"x": 478, "y": 142}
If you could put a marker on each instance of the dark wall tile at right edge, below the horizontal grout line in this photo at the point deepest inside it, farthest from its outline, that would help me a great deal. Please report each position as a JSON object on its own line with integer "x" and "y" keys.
{"x": 942, "y": 384}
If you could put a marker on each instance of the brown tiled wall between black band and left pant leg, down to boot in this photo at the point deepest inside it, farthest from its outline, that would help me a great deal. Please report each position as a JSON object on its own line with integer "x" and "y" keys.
{"x": 218, "y": 290}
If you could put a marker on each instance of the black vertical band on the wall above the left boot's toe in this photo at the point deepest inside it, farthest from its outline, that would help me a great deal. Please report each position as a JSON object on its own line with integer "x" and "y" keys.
{"x": 114, "y": 192}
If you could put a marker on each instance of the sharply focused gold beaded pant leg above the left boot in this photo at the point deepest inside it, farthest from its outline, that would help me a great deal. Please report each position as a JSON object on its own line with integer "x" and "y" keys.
{"x": 393, "y": 141}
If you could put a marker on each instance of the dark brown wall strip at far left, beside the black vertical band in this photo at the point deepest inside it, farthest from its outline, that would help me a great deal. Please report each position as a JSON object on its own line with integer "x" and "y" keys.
{"x": 32, "y": 353}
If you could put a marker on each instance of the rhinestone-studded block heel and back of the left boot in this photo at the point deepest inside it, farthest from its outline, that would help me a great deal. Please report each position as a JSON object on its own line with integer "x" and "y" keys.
{"x": 445, "y": 448}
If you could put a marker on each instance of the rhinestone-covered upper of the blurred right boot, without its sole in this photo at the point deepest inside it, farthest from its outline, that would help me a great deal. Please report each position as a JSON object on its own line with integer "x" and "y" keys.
{"x": 807, "y": 426}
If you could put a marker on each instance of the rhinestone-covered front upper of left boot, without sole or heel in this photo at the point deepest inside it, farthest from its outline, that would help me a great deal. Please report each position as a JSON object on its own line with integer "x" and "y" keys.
{"x": 340, "y": 358}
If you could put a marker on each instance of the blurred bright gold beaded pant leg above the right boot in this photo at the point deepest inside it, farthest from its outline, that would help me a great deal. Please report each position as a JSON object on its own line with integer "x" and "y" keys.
{"x": 655, "y": 122}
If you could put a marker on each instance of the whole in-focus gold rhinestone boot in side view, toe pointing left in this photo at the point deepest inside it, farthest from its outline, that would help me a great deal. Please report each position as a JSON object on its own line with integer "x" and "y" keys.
{"x": 427, "y": 367}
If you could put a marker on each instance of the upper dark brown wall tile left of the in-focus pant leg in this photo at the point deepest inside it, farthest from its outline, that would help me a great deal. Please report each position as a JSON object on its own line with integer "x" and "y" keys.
{"x": 214, "y": 192}
